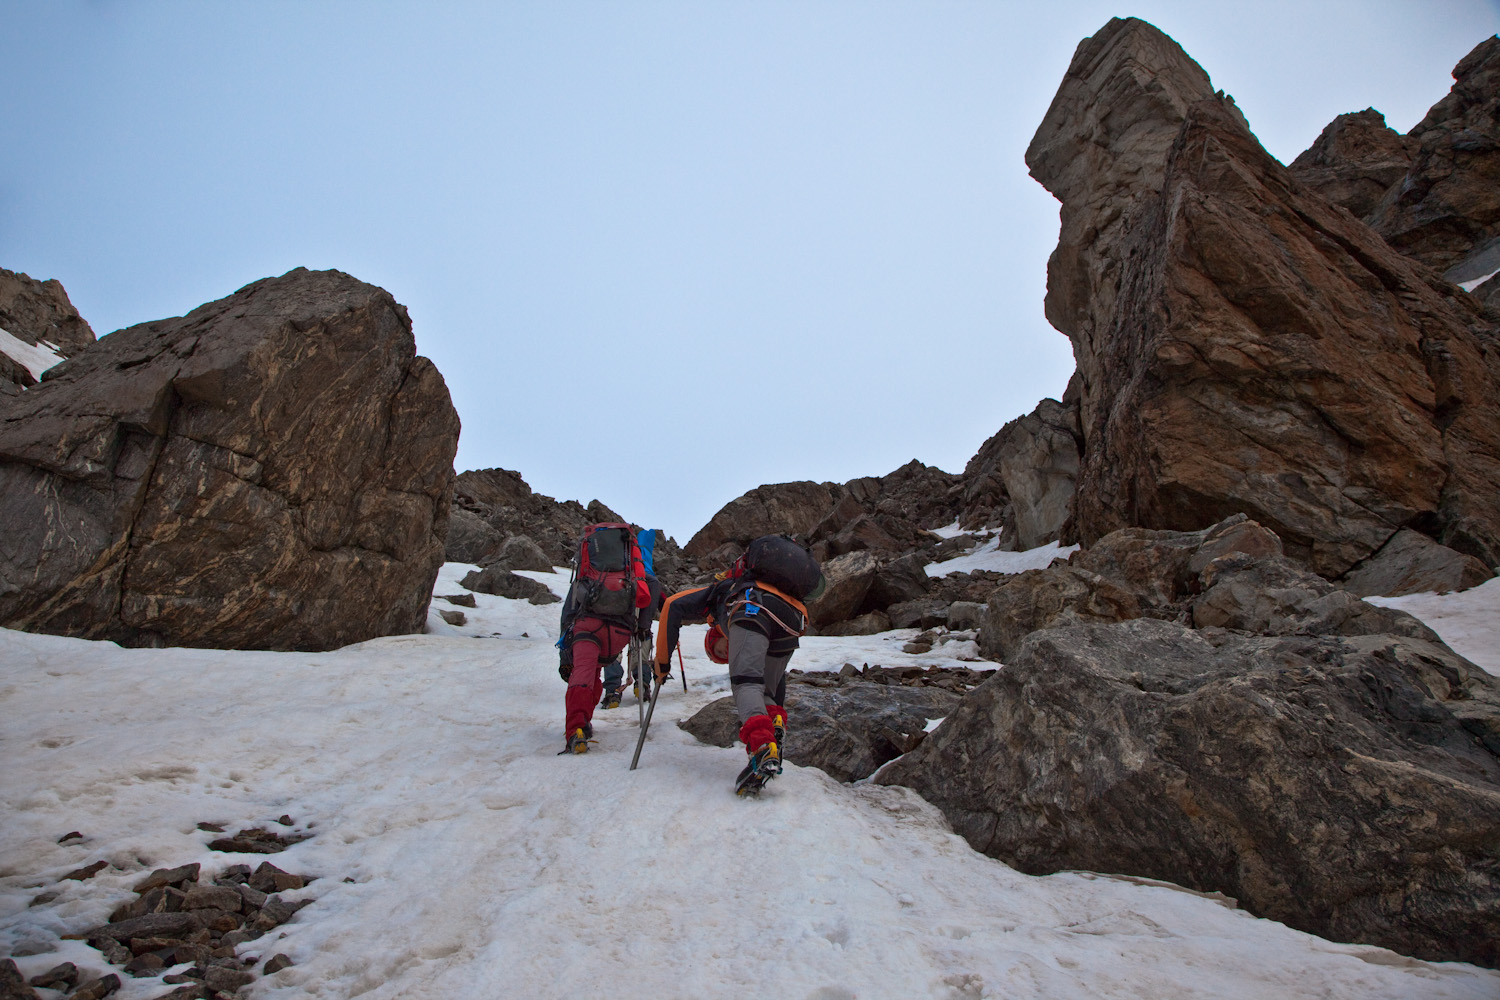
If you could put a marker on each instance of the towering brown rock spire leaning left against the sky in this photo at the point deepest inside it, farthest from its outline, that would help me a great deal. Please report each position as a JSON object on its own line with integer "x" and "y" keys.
{"x": 1243, "y": 347}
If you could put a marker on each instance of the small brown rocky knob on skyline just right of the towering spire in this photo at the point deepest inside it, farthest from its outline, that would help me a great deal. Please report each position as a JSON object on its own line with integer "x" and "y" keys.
{"x": 1355, "y": 161}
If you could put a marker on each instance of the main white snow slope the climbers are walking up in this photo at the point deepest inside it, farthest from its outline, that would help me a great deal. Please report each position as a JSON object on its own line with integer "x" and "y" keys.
{"x": 460, "y": 857}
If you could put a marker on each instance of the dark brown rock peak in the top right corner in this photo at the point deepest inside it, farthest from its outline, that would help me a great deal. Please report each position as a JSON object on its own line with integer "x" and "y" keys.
{"x": 1450, "y": 202}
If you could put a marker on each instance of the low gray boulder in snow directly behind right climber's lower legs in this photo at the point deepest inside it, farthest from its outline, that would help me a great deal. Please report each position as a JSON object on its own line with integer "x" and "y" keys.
{"x": 847, "y": 731}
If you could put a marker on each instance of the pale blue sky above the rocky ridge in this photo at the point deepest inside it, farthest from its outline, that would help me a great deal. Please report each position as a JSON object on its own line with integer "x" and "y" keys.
{"x": 662, "y": 253}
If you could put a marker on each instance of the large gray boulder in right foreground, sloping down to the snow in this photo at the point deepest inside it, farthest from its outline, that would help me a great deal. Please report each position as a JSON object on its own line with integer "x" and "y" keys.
{"x": 1345, "y": 786}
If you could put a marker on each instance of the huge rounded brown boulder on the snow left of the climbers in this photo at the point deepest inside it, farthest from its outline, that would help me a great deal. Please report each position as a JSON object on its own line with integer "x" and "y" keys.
{"x": 271, "y": 472}
